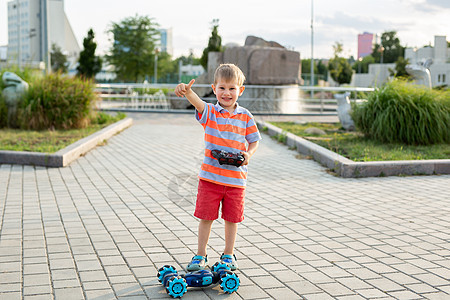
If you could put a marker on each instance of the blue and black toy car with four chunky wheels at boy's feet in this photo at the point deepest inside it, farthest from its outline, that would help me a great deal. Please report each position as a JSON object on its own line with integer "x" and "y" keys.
{"x": 176, "y": 284}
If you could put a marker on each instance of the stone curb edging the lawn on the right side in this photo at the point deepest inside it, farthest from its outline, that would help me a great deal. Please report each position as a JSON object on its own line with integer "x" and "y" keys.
{"x": 347, "y": 168}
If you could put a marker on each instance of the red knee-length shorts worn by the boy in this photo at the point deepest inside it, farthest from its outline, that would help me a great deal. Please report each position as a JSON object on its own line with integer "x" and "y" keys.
{"x": 209, "y": 197}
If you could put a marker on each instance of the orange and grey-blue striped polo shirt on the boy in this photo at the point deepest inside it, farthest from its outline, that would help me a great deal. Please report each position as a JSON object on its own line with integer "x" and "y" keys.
{"x": 230, "y": 132}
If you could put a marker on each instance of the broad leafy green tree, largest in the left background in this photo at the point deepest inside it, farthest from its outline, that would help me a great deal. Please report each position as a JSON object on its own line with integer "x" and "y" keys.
{"x": 133, "y": 50}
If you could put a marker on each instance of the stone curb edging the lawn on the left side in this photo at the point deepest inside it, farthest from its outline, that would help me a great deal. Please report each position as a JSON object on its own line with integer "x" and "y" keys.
{"x": 67, "y": 155}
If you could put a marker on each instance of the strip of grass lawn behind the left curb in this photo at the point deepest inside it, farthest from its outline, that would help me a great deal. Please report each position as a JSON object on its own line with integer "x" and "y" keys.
{"x": 48, "y": 141}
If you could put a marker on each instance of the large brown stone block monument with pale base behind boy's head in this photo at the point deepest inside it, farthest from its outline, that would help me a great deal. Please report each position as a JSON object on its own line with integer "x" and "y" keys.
{"x": 266, "y": 64}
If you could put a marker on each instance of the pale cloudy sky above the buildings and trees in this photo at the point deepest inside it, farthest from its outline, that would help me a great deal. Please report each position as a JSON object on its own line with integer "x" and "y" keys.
{"x": 287, "y": 22}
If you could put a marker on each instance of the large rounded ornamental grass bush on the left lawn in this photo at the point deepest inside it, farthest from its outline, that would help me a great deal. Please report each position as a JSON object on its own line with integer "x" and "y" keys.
{"x": 57, "y": 102}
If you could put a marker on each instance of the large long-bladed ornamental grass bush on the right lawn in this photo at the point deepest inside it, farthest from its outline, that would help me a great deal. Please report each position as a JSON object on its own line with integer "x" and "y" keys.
{"x": 405, "y": 113}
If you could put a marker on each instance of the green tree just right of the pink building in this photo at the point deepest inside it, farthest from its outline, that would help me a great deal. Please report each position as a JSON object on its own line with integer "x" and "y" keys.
{"x": 389, "y": 50}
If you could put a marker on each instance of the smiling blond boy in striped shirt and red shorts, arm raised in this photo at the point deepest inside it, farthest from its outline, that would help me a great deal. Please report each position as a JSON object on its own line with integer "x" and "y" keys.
{"x": 228, "y": 127}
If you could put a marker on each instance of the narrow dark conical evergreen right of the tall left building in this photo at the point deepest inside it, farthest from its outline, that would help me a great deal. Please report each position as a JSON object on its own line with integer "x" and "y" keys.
{"x": 89, "y": 64}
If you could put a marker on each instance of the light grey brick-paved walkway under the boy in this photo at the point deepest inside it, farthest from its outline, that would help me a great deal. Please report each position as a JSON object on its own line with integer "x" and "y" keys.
{"x": 101, "y": 227}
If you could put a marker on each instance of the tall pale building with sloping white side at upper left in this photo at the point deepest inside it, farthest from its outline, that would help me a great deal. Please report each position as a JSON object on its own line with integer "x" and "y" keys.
{"x": 34, "y": 26}
